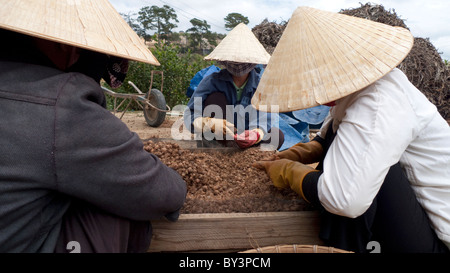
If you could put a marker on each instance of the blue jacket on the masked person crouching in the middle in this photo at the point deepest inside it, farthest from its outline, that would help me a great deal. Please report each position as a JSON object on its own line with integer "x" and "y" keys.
{"x": 222, "y": 81}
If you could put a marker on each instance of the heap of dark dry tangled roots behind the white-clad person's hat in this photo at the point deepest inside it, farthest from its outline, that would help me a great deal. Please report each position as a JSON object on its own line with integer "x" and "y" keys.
{"x": 423, "y": 66}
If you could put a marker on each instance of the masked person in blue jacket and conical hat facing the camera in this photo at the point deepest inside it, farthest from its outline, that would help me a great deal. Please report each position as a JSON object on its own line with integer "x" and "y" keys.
{"x": 219, "y": 96}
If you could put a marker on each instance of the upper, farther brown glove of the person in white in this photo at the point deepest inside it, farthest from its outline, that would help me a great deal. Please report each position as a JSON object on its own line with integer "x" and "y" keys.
{"x": 306, "y": 153}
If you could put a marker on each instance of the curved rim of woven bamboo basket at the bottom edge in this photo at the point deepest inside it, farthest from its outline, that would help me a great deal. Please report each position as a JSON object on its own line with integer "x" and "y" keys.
{"x": 296, "y": 249}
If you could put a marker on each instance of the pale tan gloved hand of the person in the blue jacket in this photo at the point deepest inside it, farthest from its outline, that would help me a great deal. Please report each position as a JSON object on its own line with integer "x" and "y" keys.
{"x": 221, "y": 128}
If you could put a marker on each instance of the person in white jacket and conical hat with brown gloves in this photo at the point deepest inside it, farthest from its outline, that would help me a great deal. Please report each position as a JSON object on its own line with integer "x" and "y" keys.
{"x": 383, "y": 178}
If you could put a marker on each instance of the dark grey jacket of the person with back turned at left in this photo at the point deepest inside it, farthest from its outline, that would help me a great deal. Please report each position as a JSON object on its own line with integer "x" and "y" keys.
{"x": 58, "y": 142}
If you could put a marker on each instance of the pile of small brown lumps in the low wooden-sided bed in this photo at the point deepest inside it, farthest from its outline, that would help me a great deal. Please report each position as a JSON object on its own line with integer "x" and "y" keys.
{"x": 220, "y": 182}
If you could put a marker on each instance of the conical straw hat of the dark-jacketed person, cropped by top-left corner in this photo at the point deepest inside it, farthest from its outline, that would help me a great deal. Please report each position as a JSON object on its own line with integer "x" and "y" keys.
{"x": 89, "y": 24}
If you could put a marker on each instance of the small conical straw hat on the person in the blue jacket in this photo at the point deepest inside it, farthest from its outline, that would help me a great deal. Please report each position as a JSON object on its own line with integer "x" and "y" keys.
{"x": 240, "y": 45}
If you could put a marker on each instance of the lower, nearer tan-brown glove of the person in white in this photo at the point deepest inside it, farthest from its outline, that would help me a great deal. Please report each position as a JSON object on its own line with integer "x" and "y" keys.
{"x": 286, "y": 173}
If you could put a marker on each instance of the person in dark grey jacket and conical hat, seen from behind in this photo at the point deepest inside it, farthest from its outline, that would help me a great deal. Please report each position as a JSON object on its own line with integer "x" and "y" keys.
{"x": 74, "y": 178}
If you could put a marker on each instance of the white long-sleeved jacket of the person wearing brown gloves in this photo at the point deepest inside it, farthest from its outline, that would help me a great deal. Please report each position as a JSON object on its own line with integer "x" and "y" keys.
{"x": 387, "y": 122}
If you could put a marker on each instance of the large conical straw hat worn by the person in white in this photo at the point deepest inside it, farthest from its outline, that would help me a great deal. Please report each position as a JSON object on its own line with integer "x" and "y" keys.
{"x": 324, "y": 56}
